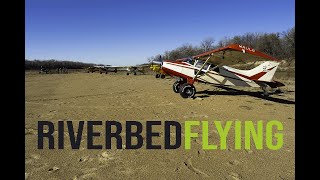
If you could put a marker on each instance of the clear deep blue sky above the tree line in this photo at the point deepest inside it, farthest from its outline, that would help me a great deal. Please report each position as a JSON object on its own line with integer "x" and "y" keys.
{"x": 127, "y": 32}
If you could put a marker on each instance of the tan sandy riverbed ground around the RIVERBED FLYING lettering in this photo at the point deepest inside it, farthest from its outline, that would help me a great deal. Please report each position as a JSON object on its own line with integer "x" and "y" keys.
{"x": 83, "y": 96}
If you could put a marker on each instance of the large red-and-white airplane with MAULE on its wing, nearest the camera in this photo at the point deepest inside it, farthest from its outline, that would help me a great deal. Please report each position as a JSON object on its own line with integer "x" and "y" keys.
{"x": 211, "y": 67}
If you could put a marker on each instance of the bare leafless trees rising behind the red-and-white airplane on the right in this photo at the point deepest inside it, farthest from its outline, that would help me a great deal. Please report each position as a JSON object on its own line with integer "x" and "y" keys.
{"x": 279, "y": 45}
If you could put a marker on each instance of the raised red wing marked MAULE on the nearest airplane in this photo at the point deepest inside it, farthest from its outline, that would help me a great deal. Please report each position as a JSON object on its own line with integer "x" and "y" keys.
{"x": 234, "y": 54}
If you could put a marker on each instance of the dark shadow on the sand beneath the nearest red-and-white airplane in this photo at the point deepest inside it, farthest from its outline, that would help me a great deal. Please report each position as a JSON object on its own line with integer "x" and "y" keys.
{"x": 236, "y": 92}
